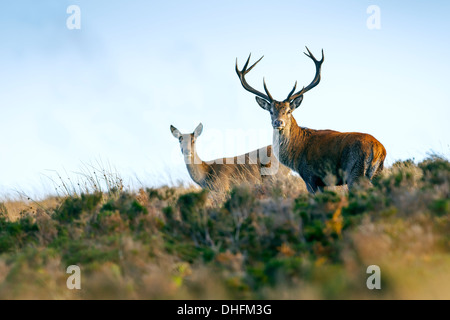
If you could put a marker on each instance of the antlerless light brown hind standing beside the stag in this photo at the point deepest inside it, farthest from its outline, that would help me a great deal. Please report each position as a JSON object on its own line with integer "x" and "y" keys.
{"x": 221, "y": 174}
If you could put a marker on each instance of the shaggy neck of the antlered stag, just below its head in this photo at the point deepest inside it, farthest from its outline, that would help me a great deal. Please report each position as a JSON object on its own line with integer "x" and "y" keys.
{"x": 289, "y": 141}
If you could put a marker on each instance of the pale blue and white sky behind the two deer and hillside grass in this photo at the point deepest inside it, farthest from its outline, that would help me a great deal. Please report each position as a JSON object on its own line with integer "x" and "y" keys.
{"x": 110, "y": 90}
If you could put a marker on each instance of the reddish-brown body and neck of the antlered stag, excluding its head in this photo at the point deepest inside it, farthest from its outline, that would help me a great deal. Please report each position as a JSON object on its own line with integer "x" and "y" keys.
{"x": 327, "y": 157}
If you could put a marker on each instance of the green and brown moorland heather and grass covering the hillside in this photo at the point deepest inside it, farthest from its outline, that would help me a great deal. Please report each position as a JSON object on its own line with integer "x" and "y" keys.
{"x": 273, "y": 241}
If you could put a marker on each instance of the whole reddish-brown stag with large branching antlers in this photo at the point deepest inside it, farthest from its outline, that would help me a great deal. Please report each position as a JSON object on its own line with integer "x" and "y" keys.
{"x": 321, "y": 157}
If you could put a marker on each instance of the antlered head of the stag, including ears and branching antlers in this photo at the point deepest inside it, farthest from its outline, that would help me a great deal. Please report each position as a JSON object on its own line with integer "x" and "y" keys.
{"x": 280, "y": 111}
